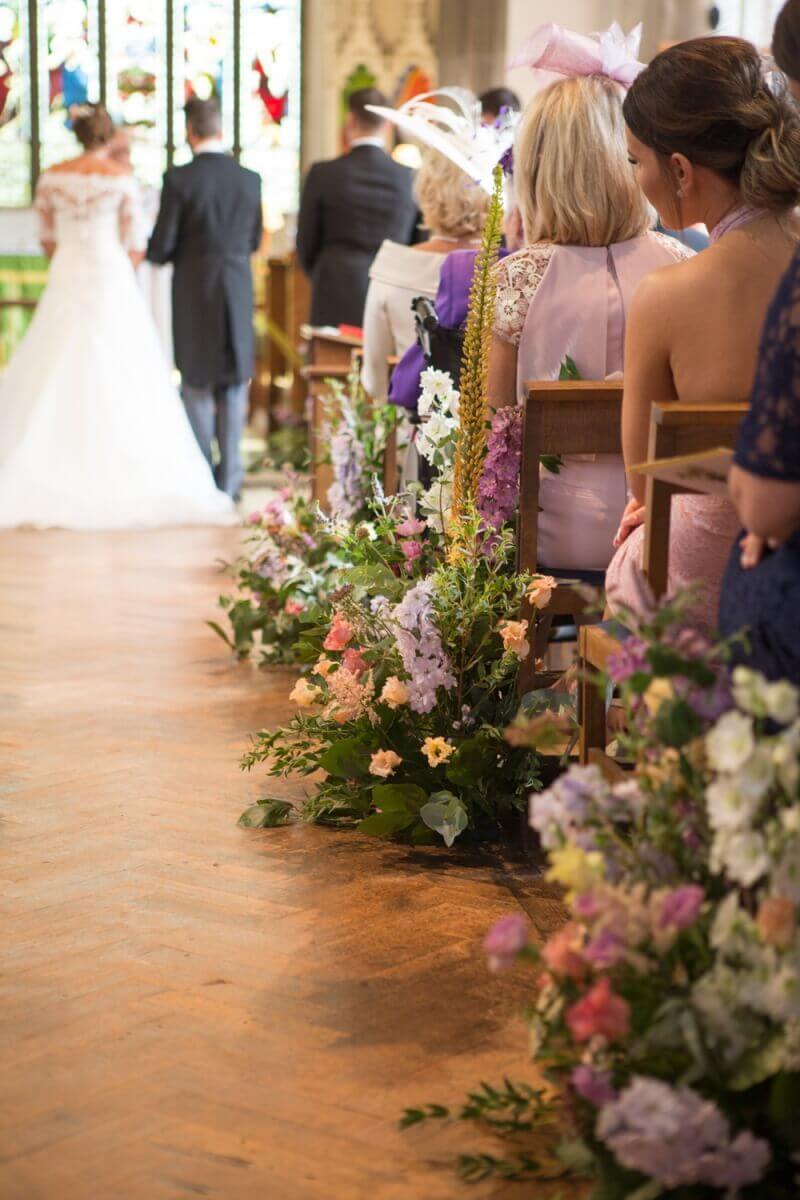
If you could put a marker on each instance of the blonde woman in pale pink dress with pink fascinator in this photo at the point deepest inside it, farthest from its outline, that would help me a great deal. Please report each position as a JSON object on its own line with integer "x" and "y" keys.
{"x": 568, "y": 293}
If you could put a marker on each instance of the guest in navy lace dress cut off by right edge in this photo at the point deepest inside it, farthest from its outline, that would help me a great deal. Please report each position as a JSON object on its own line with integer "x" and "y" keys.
{"x": 761, "y": 590}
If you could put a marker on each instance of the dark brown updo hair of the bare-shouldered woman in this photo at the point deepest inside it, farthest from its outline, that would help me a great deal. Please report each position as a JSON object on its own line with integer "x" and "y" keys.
{"x": 709, "y": 101}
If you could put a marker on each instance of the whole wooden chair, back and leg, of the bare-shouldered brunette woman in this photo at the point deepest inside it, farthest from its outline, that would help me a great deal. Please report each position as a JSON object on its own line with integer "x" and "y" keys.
{"x": 676, "y": 430}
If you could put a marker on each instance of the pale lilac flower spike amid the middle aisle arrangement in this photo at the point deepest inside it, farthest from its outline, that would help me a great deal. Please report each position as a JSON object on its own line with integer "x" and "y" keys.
{"x": 419, "y": 644}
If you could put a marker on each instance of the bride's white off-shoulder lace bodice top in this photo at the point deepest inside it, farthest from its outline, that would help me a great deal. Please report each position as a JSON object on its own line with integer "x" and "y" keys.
{"x": 91, "y": 209}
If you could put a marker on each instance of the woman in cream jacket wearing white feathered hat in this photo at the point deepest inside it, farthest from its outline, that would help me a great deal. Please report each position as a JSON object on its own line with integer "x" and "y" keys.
{"x": 454, "y": 197}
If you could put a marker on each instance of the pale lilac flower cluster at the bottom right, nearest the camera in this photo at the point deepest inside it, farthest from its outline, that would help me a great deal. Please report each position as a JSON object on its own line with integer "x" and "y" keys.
{"x": 679, "y": 1139}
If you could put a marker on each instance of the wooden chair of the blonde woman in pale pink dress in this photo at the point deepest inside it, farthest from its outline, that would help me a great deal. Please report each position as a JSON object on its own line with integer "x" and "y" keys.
{"x": 561, "y": 418}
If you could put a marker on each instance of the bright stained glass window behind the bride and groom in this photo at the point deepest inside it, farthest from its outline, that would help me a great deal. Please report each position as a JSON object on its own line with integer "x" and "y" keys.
{"x": 146, "y": 59}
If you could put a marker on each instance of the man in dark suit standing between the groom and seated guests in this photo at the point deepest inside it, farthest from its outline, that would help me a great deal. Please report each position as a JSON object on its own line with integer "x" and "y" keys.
{"x": 350, "y": 205}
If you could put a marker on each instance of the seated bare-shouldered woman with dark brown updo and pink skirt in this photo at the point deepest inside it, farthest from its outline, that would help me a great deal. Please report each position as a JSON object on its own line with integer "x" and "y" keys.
{"x": 711, "y": 142}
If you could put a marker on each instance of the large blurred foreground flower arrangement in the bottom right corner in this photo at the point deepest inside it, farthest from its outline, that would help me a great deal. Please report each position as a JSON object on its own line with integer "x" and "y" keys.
{"x": 667, "y": 1012}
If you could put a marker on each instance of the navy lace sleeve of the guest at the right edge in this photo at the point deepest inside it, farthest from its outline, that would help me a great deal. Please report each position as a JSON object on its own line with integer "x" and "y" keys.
{"x": 769, "y": 439}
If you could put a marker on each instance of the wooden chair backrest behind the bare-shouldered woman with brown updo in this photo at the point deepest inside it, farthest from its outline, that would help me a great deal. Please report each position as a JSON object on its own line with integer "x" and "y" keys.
{"x": 677, "y": 430}
